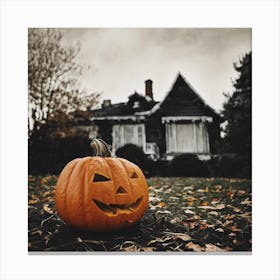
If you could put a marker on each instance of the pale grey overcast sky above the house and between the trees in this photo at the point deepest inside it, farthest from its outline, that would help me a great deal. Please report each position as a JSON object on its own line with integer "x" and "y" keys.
{"x": 121, "y": 59}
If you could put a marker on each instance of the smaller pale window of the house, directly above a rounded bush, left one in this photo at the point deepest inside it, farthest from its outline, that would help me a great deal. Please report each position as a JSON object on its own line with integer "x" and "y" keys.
{"x": 128, "y": 134}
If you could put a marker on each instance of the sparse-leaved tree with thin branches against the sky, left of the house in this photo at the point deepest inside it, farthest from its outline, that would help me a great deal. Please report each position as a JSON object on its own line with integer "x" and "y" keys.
{"x": 53, "y": 86}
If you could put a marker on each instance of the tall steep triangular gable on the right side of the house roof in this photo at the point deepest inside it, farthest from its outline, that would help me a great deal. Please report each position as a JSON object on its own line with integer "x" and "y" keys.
{"x": 183, "y": 100}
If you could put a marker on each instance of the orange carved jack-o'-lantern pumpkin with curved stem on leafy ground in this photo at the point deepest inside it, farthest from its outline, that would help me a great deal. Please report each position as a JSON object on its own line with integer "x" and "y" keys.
{"x": 101, "y": 193}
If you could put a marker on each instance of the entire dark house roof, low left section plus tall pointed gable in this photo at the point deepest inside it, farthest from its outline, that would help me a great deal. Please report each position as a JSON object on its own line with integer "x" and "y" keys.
{"x": 181, "y": 100}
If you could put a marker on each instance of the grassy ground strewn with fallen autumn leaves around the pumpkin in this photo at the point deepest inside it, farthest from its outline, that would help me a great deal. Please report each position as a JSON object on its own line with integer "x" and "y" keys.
{"x": 184, "y": 214}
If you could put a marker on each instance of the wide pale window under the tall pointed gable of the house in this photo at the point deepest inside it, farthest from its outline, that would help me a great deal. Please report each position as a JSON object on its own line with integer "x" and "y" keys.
{"x": 187, "y": 138}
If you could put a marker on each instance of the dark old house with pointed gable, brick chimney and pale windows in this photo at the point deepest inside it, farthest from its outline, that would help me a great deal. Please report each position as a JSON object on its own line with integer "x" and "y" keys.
{"x": 181, "y": 123}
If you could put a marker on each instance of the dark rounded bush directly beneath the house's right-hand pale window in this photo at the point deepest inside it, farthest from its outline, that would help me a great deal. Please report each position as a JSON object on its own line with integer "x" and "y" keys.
{"x": 188, "y": 165}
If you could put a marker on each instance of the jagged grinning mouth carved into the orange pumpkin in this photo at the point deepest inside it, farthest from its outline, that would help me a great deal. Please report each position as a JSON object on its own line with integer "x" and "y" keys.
{"x": 114, "y": 209}
